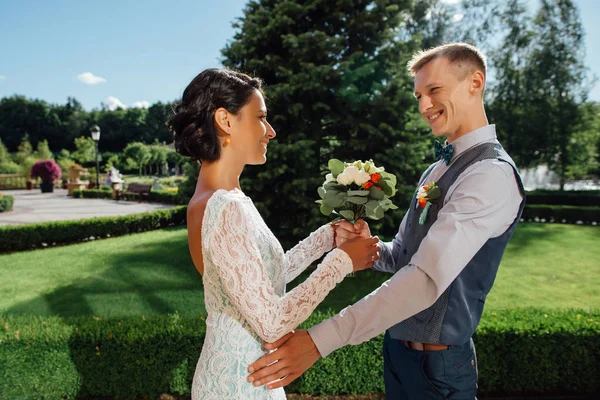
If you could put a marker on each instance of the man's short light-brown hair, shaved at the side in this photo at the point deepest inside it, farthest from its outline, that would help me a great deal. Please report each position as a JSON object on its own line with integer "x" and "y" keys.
{"x": 465, "y": 57}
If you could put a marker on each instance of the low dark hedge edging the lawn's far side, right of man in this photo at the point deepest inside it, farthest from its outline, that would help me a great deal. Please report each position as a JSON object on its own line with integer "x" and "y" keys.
{"x": 565, "y": 214}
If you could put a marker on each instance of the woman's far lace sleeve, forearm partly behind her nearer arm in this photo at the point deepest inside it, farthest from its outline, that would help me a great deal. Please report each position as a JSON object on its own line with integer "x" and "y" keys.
{"x": 307, "y": 251}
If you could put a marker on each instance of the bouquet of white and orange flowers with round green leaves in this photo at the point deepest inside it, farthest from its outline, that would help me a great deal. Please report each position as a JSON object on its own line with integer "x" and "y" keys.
{"x": 357, "y": 190}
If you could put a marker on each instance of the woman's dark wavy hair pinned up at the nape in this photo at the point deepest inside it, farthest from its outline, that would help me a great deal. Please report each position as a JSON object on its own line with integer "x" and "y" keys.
{"x": 193, "y": 126}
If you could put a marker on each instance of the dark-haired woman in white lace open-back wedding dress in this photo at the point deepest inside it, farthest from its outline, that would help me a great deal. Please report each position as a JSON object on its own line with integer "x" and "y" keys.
{"x": 222, "y": 122}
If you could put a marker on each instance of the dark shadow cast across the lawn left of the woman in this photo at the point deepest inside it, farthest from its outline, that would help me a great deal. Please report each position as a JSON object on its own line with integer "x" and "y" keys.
{"x": 147, "y": 279}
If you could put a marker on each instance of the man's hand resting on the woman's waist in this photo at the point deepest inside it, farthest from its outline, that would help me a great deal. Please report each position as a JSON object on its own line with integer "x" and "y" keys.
{"x": 296, "y": 352}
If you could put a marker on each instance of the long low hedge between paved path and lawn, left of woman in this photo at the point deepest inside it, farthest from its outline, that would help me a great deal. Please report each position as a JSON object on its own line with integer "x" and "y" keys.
{"x": 27, "y": 237}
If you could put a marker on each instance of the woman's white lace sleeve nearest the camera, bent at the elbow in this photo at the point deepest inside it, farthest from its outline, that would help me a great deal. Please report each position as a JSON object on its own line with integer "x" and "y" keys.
{"x": 241, "y": 269}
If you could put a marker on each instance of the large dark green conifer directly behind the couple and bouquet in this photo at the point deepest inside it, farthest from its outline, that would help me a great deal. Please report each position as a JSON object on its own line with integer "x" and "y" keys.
{"x": 336, "y": 87}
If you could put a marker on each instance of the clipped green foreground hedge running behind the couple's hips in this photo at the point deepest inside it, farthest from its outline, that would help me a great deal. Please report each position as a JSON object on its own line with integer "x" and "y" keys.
{"x": 519, "y": 352}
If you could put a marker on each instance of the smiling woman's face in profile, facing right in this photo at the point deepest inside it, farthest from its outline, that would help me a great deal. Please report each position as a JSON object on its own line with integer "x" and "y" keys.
{"x": 251, "y": 132}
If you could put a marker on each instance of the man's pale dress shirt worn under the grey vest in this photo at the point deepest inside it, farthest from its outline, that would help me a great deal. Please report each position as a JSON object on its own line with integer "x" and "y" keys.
{"x": 481, "y": 204}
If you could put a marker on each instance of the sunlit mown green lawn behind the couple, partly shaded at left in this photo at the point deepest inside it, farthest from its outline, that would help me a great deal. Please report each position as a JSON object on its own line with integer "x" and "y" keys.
{"x": 549, "y": 266}
